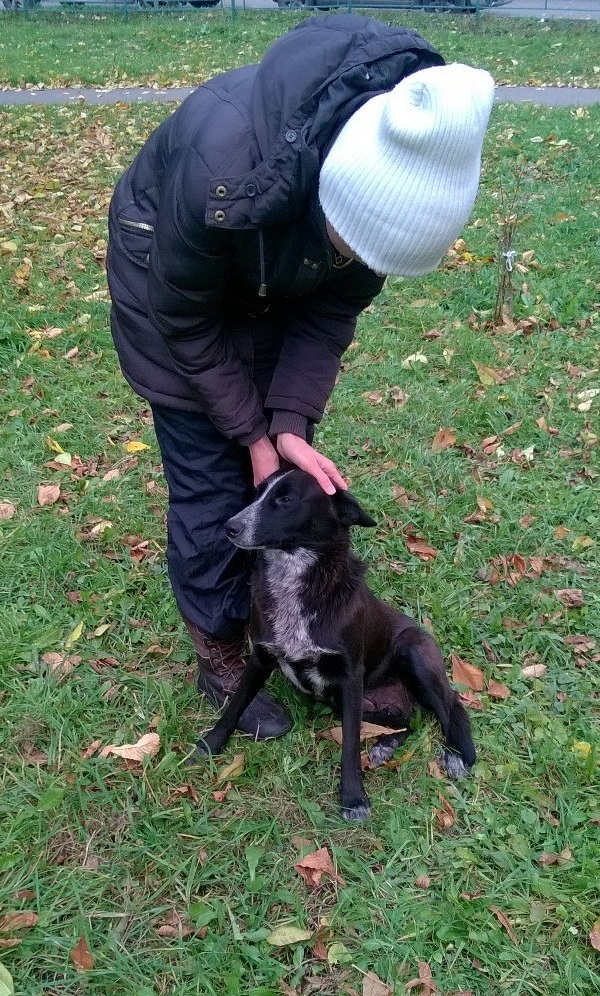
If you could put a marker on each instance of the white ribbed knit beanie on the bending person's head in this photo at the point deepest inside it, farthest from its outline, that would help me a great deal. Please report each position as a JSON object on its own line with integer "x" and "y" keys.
{"x": 400, "y": 179}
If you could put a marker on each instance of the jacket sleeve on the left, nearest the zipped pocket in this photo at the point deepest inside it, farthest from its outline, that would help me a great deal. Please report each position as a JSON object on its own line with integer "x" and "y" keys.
{"x": 188, "y": 268}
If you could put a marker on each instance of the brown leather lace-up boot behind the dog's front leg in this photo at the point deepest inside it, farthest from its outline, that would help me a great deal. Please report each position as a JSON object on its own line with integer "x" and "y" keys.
{"x": 220, "y": 667}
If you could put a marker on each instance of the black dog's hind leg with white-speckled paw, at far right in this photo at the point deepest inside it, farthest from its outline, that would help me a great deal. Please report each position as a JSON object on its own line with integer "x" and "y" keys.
{"x": 422, "y": 669}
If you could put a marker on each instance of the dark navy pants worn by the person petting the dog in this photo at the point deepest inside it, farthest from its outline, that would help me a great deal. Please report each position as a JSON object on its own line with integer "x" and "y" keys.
{"x": 210, "y": 479}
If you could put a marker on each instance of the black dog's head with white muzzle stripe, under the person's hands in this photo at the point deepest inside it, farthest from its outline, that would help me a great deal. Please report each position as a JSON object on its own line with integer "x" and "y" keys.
{"x": 291, "y": 510}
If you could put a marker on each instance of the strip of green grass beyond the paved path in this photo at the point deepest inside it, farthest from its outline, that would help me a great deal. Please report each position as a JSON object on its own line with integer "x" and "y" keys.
{"x": 57, "y": 49}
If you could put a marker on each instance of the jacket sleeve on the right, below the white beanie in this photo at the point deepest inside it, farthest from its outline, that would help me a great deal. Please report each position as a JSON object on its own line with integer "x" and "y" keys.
{"x": 321, "y": 328}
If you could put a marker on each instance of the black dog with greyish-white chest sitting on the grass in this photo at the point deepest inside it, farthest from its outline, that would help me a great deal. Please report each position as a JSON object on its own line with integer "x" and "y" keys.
{"x": 314, "y": 617}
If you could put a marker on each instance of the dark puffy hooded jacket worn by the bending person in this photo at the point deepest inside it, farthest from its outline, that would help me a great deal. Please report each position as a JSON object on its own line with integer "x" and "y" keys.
{"x": 217, "y": 222}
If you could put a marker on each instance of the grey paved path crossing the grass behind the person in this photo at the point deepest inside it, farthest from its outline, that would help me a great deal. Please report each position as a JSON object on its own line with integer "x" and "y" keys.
{"x": 551, "y": 96}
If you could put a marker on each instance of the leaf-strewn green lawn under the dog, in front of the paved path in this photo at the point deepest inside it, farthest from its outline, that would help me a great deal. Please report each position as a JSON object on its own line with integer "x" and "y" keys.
{"x": 475, "y": 447}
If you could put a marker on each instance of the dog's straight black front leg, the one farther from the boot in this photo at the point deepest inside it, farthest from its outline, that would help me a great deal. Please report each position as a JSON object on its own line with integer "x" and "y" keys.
{"x": 355, "y": 804}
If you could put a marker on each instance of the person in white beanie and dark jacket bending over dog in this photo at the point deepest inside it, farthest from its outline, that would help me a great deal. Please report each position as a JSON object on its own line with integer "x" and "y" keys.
{"x": 253, "y": 227}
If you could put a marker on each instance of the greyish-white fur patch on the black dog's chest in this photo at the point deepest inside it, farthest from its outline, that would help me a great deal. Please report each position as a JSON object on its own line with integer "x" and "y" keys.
{"x": 292, "y": 641}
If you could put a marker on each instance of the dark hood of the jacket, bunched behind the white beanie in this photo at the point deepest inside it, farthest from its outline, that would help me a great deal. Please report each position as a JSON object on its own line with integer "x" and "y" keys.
{"x": 305, "y": 88}
